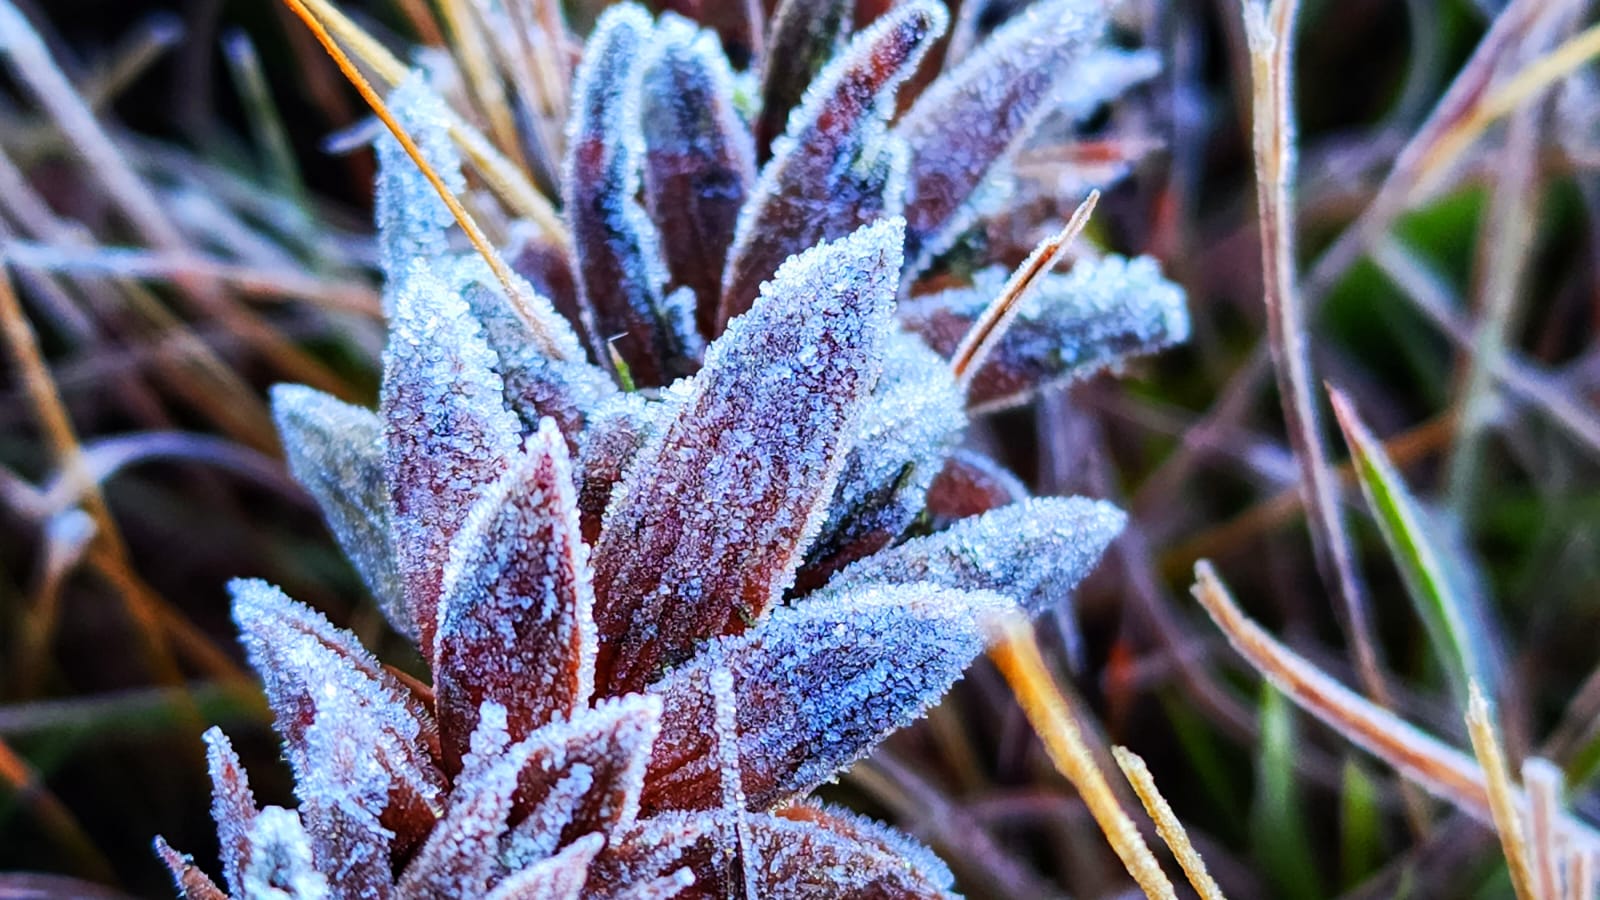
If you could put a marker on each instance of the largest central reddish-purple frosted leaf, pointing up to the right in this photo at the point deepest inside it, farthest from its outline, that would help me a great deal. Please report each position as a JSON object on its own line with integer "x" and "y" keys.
{"x": 711, "y": 521}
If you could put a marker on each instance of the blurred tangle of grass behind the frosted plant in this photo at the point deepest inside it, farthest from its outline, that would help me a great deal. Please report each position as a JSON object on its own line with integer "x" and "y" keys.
{"x": 162, "y": 360}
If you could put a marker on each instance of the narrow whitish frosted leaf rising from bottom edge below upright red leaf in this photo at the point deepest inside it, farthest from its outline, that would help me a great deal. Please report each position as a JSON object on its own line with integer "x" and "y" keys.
{"x": 460, "y": 856}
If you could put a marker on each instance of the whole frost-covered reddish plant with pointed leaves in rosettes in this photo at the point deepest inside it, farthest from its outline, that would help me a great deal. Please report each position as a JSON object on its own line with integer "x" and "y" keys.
{"x": 671, "y": 585}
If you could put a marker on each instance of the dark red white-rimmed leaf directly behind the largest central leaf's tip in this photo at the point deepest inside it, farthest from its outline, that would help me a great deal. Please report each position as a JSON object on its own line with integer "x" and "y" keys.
{"x": 836, "y": 169}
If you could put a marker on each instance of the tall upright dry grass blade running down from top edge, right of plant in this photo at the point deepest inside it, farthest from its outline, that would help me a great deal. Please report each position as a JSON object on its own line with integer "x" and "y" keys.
{"x": 1271, "y": 36}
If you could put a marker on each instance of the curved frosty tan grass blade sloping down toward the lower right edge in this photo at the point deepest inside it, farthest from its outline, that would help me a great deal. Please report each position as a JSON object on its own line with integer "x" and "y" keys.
{"x": 1442, "y": 771}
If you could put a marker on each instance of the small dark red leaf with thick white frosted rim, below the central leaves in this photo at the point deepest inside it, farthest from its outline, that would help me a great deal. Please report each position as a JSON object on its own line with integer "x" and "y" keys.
{"x": 614, "y": 742}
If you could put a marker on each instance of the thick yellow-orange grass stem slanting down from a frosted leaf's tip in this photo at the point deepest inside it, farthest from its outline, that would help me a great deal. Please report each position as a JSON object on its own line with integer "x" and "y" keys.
{"x": 1018, "y": 659}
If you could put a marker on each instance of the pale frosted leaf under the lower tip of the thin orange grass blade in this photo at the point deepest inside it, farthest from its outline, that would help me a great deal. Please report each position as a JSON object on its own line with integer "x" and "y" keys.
{"x": 537, "y": 384}
